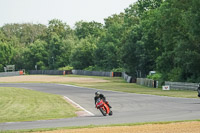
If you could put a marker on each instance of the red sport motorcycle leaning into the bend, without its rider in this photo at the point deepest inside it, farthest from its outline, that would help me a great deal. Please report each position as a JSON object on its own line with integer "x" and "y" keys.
{"x": 103, "y": 107}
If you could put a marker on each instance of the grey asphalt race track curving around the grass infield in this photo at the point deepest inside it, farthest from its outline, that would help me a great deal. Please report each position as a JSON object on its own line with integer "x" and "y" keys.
{"x": 126, "y": 107}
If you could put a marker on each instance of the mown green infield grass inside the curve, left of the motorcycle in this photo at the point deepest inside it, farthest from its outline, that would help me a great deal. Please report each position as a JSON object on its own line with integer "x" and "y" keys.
{"x": 17, "y": 104}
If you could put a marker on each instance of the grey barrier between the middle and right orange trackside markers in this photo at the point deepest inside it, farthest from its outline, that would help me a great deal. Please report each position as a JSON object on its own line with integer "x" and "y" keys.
{"x": 92, "y": 73}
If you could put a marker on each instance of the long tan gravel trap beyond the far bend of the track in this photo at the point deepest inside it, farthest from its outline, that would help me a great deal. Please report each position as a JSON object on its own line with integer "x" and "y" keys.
{"x": 49, "y": 79}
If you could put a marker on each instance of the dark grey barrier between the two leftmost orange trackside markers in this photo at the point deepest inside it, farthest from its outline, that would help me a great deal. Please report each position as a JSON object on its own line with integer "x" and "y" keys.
{"x": 47, "y": 72}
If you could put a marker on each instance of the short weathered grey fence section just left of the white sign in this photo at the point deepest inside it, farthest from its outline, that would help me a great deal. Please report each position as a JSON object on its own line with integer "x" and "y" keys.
{"x": 147, "y": 82}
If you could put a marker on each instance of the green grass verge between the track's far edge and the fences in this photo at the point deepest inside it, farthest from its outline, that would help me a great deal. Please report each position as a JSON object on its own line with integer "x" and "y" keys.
{"x": 118, "y": 84}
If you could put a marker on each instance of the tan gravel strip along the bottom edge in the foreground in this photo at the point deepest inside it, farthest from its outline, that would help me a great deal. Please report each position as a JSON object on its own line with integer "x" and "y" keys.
{"x": 181, "y": 127}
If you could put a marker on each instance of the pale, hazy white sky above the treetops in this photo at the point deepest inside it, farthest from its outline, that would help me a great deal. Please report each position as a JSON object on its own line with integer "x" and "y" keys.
{"x": 68, "y": 11}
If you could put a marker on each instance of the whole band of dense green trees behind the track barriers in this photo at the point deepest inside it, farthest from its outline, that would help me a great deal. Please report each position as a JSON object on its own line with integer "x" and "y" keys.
{"x": 160, "y": 35}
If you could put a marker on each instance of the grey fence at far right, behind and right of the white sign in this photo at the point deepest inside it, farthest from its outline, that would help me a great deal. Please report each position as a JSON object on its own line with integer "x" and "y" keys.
{"x": 182, "y": 85}
